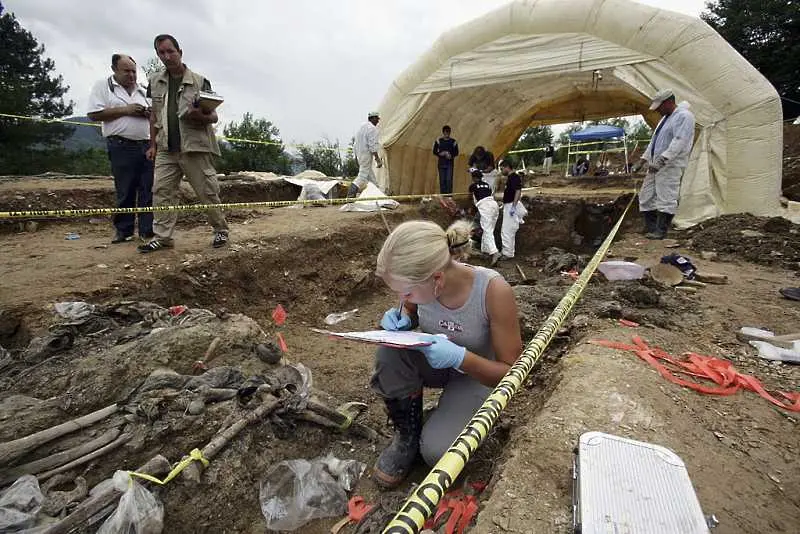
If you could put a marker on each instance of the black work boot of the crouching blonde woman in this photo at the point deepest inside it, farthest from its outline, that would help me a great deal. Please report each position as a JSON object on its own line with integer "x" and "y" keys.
{"x": 396, "y": 460}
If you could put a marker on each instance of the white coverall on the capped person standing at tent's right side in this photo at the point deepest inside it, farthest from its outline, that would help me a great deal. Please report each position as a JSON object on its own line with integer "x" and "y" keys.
{"x": 673, "y": 141}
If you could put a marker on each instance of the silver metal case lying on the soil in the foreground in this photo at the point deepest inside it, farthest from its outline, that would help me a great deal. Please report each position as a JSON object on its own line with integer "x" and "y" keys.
{"x": 622, "y": 486}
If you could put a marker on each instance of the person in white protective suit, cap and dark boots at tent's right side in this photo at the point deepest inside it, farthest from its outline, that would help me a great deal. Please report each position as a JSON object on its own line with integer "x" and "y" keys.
{"x": 666, "y": 158}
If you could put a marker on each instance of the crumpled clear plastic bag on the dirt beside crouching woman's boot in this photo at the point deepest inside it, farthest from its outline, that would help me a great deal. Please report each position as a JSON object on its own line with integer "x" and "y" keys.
{"x": 295, "y": 492}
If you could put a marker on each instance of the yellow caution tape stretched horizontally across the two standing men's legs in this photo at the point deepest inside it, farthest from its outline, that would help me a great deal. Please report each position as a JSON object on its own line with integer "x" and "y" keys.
{"x": 84, "y": 212}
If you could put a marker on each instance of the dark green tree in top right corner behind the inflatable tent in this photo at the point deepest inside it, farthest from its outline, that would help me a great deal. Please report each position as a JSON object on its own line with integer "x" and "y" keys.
{"x": 767, "y": 34}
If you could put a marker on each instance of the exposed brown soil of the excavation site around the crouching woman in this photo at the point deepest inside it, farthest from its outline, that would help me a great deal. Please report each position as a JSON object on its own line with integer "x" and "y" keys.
{"x": 318, "y": 260}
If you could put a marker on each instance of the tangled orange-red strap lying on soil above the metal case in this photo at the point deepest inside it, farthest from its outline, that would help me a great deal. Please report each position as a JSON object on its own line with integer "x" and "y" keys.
{"x": 717, "y": 370}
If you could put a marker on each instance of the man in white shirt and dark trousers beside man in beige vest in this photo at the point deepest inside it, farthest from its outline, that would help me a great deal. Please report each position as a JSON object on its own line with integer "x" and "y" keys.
{"x": 121, "y": 105}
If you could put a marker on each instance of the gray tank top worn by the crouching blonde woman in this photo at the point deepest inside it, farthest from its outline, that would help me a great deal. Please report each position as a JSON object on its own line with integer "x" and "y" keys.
{"x": 468, "y": 325}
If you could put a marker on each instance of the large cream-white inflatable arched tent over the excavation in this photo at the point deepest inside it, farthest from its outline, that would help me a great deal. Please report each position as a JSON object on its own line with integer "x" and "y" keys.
{"x": 531, "y": 63}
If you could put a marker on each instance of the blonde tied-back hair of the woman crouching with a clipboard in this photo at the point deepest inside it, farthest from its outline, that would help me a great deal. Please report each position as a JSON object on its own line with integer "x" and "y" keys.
{"x": 417, "y": 249}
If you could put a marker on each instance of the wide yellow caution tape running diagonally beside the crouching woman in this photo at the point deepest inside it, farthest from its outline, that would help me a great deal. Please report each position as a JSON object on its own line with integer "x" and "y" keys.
{"x": 422, "y": 503}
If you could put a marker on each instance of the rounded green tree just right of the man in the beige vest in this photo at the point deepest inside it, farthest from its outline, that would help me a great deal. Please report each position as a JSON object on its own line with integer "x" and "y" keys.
{"x": 265, "y": 154}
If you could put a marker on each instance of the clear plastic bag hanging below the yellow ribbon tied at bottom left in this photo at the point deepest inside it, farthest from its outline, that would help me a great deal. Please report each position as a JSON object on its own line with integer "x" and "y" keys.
{"x": 138, "y": 511}
